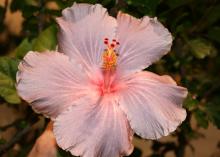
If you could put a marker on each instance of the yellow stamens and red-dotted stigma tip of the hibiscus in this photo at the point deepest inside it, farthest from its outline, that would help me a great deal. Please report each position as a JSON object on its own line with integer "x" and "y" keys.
{"x": 110, "y": 56}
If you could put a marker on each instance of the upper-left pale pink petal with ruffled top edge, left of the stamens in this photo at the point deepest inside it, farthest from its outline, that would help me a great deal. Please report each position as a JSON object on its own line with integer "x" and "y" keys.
{"x": 83, "y": 40}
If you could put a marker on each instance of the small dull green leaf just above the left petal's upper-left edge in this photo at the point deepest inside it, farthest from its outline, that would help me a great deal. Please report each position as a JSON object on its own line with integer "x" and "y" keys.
{"x": 22, "y": 49}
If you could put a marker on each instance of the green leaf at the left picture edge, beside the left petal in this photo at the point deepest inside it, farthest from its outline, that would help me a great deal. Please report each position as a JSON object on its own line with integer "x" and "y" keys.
{"x": 8, "y": 69}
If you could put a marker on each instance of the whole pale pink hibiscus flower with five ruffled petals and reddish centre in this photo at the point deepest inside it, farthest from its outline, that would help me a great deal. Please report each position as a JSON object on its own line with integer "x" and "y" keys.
{"x": 94, "y": 88}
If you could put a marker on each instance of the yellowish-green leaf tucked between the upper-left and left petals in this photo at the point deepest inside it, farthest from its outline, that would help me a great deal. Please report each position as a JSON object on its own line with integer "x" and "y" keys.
{"x": 46, "y": 40}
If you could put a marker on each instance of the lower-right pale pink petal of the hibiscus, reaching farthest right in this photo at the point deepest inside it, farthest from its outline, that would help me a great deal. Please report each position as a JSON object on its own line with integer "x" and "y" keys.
{"x": 153, "y": 104}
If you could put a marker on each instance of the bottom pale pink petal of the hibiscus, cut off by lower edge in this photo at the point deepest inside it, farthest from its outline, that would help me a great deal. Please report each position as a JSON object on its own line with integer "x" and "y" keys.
{"x": 97, "y": 129}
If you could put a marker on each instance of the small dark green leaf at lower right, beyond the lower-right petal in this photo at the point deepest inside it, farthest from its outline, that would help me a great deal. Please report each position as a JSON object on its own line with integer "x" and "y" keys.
{"x": 201, "y": 118}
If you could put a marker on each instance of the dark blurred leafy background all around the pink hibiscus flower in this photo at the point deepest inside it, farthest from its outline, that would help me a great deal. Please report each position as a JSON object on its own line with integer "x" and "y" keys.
{"x": 194, "y": 62}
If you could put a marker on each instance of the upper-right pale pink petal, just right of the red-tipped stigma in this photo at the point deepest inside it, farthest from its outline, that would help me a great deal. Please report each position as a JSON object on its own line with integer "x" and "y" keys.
{"x": 142, "y": 42}
